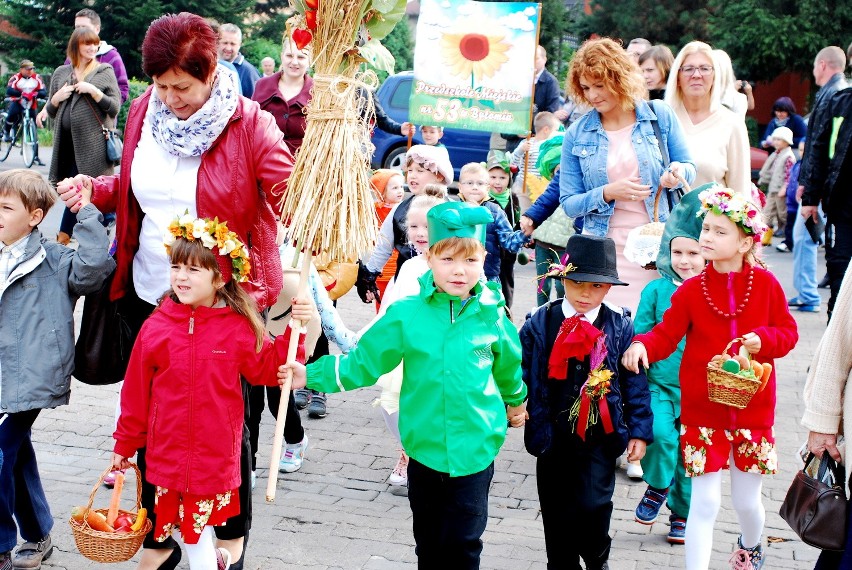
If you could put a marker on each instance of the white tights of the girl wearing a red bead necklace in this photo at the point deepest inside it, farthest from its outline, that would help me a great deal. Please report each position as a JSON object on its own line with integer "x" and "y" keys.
{"x": 704, "y": 506}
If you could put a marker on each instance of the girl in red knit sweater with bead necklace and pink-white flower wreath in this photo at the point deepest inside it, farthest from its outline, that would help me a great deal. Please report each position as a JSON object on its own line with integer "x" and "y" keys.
{"x": 734, "y": 297}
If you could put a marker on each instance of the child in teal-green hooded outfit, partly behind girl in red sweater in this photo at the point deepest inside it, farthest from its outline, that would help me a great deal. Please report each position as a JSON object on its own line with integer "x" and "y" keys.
{"x": 679, "y": 259}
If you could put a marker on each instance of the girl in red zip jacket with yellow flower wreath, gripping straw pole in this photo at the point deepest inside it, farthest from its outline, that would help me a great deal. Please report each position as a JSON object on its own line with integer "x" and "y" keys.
{"x": 183, "y": 383}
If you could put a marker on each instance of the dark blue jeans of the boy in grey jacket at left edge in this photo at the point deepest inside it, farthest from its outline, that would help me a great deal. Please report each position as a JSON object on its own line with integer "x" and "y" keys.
{"x": 22, "y": 497}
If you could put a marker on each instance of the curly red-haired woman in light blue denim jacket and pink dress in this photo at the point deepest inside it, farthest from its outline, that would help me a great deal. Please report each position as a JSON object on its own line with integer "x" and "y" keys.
{"x": 612, "y": 163}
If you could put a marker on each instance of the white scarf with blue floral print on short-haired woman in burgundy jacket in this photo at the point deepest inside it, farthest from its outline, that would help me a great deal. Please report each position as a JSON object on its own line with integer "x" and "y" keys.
{"x": 193, "y": 136}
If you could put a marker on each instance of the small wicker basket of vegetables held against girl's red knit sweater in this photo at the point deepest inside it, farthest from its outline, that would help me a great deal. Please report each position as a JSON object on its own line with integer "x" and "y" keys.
{"x": 734, "y": 379}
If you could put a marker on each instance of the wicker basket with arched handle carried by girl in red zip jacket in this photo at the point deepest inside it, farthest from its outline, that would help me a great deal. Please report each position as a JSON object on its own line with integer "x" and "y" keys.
{"x": 109, "y": 546}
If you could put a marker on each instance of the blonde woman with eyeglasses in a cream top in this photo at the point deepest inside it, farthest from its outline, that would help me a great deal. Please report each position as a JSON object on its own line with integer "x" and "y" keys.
{"x": 716, "y": 135}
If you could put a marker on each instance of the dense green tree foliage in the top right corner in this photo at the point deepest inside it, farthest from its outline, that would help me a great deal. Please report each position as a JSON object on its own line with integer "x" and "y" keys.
{"x": 768, "y": 37}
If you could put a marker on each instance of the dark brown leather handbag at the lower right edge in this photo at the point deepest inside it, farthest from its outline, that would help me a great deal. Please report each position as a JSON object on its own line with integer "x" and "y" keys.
{"x": 815, "y": 508}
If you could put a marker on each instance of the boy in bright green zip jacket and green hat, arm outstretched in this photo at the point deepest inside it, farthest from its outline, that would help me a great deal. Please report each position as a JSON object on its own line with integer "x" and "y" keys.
{"x": 461, "y": 369}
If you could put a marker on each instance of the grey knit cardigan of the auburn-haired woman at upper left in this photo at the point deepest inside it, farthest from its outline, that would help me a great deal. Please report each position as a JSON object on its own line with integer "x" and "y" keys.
{"x": 86, "y": 135}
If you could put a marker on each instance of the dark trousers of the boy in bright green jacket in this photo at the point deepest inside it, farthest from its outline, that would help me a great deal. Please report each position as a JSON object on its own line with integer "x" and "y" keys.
{"x": 450, "y": 514}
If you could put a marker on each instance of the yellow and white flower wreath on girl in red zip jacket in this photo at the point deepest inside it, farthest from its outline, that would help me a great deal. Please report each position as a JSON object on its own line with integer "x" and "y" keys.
{"x": 213, "y": 234}
